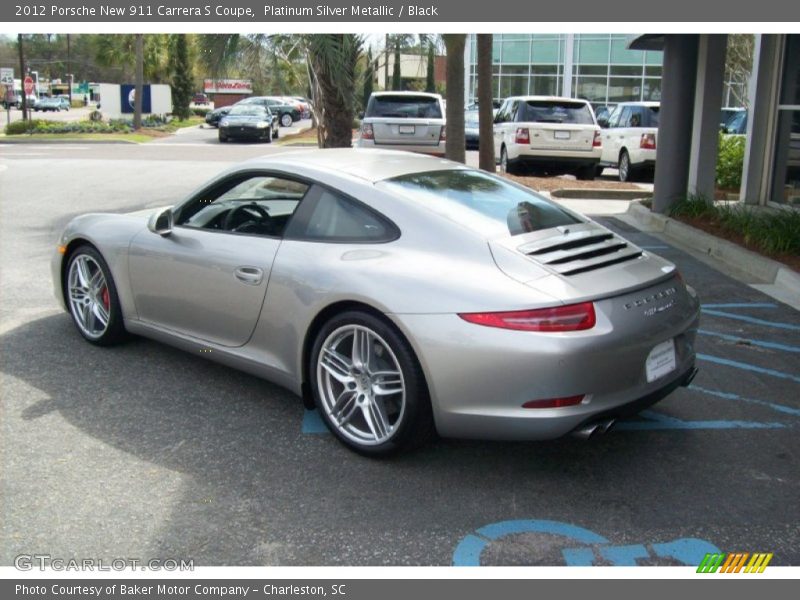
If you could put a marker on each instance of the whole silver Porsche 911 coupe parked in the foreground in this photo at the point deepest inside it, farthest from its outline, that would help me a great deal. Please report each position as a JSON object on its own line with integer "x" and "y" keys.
{"x": 399, "y": 294}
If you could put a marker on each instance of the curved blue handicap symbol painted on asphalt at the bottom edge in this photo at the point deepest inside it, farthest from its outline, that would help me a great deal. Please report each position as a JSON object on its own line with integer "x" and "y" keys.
{"x": 592, "y": 547}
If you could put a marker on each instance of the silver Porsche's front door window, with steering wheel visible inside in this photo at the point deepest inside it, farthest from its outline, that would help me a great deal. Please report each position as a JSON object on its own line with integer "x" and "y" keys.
{"x": 256, "y": 204}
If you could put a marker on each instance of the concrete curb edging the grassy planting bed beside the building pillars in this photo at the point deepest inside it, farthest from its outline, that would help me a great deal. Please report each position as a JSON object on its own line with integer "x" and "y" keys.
{"x": 758, "y": 267}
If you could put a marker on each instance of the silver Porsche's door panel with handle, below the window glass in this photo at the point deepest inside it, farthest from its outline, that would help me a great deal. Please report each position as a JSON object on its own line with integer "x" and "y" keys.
{"x": 206, "y": 284}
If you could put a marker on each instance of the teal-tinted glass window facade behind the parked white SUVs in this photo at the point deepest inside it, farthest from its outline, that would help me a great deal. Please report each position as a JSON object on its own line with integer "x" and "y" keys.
{"x": 602, "y": 69}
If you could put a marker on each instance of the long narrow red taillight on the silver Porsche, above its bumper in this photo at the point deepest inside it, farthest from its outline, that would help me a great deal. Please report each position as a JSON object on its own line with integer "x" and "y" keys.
{"x": 573, "y": 317}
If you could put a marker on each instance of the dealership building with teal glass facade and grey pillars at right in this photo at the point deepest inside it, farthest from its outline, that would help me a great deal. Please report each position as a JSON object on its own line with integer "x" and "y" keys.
{"x": 686, "y": 74}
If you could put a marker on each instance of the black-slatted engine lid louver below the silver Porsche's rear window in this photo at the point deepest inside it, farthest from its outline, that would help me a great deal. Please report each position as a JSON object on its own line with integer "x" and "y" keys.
{"x": 570, "y": 253}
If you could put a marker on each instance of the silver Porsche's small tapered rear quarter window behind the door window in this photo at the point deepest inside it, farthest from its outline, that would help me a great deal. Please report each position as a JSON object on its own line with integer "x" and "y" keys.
{"x": 332, "y": 217}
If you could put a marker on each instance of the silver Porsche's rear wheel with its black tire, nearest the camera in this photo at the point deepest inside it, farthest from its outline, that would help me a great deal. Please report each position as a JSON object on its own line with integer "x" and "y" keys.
{"x": 368, "y": 385}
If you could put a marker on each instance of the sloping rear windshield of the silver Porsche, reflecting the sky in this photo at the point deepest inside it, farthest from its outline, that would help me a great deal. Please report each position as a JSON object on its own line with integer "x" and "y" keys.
{"x": 480, "y": 201}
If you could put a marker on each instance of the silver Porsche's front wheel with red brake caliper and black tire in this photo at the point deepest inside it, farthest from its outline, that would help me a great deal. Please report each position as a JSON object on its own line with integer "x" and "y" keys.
{"x": 92, "y": 298}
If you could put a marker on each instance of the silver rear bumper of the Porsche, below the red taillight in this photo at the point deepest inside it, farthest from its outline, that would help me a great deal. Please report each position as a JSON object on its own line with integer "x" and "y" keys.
{"x": 479, "y": 377}
